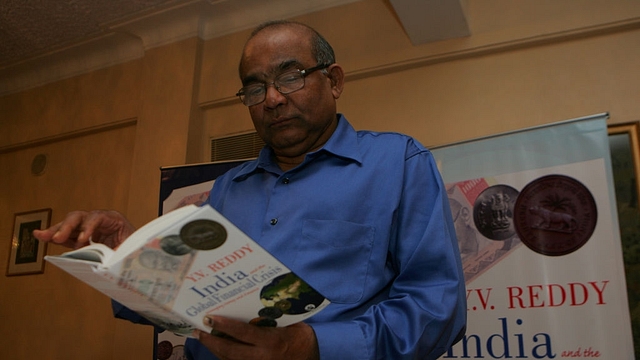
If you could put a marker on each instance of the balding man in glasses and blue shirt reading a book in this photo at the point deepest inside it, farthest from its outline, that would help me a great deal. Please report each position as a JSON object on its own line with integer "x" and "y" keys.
{"x": 362, "y": 216}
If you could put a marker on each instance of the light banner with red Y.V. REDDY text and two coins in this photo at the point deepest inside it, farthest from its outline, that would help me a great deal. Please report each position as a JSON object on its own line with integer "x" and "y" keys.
{"x": 536, "y": 220}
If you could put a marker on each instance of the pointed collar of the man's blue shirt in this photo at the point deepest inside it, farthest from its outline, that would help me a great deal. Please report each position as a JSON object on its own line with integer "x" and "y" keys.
{"x": 343, "y": 143}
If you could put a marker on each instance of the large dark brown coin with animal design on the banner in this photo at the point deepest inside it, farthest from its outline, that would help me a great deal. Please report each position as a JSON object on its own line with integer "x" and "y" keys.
{"x": 555, "y": 215}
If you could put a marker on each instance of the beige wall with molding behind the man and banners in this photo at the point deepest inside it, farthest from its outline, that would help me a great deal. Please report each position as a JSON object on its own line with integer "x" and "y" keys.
{"x": 107, "y": 133}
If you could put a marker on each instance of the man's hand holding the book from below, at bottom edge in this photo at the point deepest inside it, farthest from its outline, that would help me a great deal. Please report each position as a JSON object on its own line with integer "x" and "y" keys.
{"x": 246, "y": 341}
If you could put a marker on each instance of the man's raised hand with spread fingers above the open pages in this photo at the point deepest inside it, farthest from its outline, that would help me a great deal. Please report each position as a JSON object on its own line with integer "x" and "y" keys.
{"x": 79, "y": 227}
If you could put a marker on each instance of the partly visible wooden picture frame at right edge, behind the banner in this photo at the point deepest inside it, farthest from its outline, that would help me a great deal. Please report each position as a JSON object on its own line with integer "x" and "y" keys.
{"x": 625, "y": 161}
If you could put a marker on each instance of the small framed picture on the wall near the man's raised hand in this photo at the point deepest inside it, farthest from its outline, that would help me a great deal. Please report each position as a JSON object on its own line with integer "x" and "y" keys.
{"x": 26, "y": 253}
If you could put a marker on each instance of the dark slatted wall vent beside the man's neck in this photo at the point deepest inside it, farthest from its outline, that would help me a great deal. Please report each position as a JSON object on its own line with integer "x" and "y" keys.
{"x": 236, "y": 147}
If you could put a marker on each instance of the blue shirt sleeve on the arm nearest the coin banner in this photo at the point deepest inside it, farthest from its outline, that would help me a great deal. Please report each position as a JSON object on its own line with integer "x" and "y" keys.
{"x": 424, "y": 312}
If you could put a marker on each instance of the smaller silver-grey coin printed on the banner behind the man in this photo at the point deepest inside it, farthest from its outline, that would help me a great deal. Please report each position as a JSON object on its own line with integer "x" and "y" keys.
{"x": 493, "y": 212}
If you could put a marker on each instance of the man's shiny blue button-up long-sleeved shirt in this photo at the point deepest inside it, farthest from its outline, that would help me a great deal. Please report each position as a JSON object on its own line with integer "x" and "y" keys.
{"x": 366, "y": 222}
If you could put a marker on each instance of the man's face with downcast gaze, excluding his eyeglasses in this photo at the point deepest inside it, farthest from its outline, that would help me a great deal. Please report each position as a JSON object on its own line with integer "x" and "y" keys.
{"x": 299, "y": 122}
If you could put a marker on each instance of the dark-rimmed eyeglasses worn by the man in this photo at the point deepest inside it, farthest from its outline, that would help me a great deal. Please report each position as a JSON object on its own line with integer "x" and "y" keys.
{"x": 285, "y": 83}
